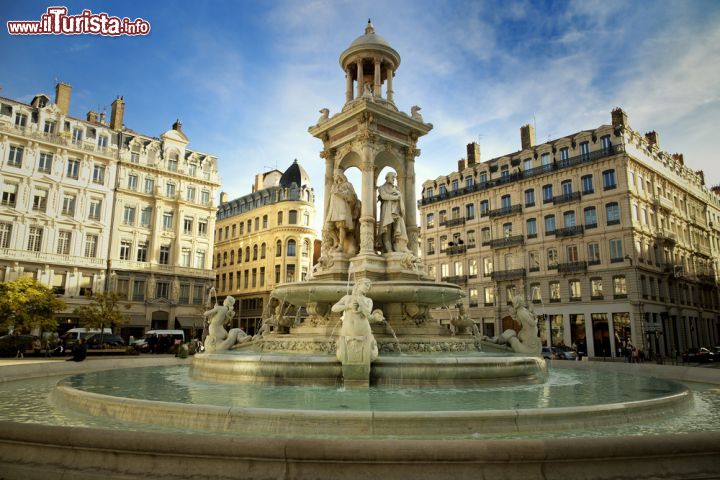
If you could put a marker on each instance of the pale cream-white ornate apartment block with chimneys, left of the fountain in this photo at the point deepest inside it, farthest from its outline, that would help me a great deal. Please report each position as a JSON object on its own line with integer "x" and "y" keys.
{"x": 89, "y": 205}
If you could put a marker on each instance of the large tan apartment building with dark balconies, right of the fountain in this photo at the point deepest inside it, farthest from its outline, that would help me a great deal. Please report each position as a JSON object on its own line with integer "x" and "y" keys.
{"x": 610, "y": 238}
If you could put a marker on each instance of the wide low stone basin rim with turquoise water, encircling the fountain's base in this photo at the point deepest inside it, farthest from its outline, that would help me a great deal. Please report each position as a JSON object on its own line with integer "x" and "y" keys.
{"x": 359, "y": 415}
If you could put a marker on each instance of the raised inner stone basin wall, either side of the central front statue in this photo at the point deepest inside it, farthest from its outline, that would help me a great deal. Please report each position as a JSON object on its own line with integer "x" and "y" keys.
{"x": 238, "y": 367}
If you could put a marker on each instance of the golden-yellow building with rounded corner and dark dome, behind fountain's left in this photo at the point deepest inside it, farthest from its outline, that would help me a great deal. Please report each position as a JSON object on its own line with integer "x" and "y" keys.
{"x": 263, "y": 239}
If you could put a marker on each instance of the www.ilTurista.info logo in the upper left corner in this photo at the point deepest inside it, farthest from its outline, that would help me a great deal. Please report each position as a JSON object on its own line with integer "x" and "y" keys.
{"x": 56, "y": 21}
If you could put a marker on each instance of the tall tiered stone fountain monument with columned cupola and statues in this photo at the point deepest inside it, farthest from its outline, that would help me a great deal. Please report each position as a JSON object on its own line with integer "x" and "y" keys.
{"x": 370, "y": 244}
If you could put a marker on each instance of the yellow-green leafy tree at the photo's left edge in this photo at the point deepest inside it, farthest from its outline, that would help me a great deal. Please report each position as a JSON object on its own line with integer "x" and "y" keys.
{"x": 26, "y": 304}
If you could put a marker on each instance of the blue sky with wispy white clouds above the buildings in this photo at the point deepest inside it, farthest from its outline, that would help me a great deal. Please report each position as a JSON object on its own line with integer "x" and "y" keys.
{"x": 247, "y": 78}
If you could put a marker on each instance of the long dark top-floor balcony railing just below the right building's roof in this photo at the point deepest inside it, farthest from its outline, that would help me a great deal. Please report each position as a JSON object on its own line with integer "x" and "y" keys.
{"x": 533, "y": 172}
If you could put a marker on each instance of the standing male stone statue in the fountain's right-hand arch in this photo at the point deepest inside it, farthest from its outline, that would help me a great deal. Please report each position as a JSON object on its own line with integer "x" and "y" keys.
{"x": 392, "y": 216}
